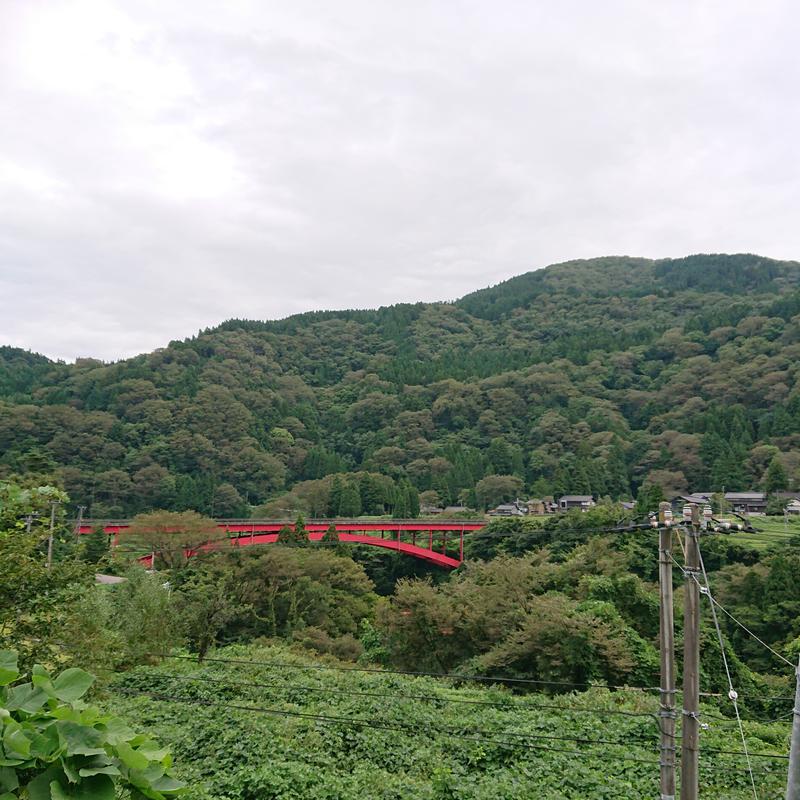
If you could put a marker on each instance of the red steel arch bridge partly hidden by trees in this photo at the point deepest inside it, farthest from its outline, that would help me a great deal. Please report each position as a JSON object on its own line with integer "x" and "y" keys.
{"x": 440, "y": 542}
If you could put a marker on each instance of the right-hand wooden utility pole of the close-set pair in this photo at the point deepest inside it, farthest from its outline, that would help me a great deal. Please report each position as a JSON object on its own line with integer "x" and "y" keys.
{"x": 690, "y": 743}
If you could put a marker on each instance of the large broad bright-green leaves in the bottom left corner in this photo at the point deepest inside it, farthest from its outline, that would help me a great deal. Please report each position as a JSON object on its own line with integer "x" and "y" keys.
{"x": 55, "y": 747}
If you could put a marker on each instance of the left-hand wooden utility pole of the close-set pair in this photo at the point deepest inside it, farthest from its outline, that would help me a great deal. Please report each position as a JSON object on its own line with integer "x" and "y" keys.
{"x": 666, "y": 639}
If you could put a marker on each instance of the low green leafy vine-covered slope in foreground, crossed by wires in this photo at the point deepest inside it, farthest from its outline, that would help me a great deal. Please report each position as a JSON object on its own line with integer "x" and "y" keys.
{"x": 229, "y": 754}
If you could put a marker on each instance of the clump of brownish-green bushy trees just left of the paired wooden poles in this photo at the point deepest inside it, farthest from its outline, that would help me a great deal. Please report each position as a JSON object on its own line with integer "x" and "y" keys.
{"x": 573, "y": 620}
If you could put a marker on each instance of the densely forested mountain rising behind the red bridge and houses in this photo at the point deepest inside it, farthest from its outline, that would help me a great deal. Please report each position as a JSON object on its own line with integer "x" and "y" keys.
{"x": 587, "y": 376}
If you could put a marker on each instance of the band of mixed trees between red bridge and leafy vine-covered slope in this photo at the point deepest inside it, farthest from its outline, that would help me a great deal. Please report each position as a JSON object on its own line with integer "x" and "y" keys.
{"x": 548, "y": 600}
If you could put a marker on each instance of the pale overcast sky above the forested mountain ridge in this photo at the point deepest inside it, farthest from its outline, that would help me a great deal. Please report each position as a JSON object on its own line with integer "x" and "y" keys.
{"x": 169, "y": 164}
